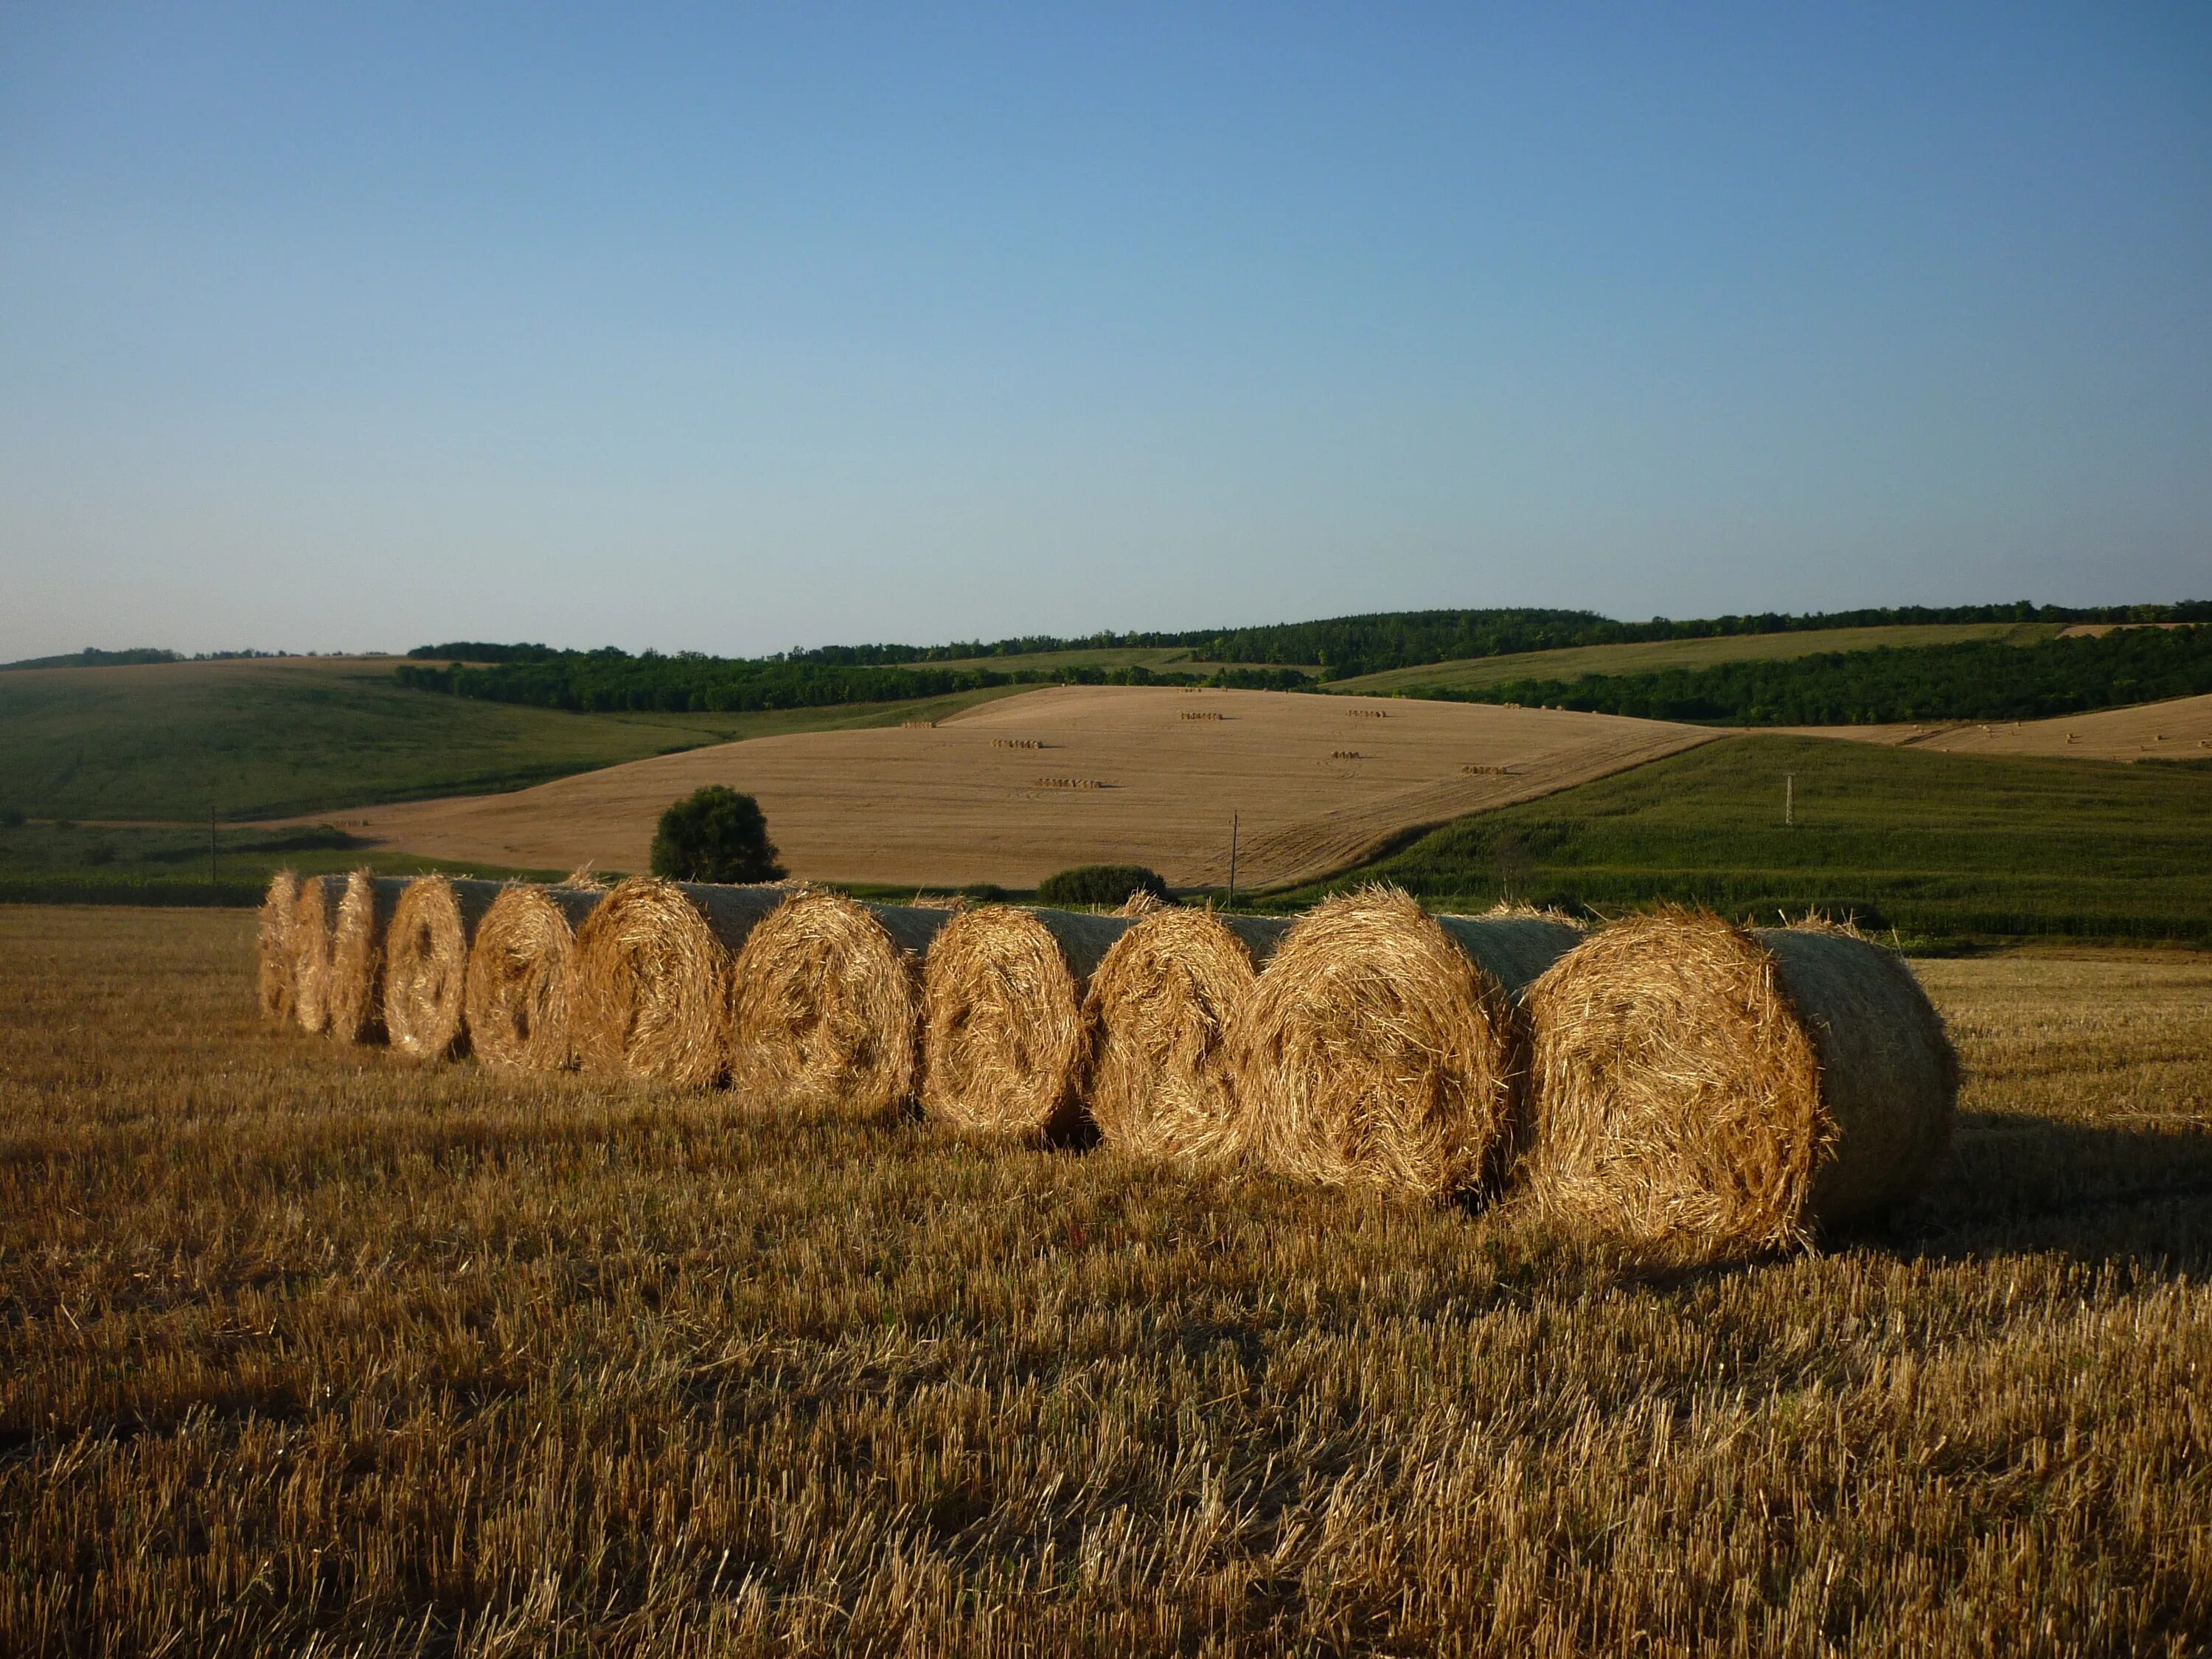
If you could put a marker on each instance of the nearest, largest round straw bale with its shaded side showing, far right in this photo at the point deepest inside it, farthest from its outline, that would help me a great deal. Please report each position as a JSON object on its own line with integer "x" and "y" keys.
{"x": 1720, "y": 1092}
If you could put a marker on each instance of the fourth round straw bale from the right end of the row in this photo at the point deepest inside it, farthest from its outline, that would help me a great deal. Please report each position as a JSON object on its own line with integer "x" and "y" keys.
{"x": 1005, "y": 1043}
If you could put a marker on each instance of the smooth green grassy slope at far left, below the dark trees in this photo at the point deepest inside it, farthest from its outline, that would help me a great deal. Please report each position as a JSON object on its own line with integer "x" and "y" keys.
{"x": 284, "y": 738}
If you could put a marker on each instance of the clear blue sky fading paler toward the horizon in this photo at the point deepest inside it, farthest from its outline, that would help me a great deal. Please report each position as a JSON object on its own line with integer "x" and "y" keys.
{"x": 740, "y": 328}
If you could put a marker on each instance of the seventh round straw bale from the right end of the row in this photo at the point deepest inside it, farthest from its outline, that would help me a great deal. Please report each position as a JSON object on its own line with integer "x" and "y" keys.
{"x": 523, "y": 977}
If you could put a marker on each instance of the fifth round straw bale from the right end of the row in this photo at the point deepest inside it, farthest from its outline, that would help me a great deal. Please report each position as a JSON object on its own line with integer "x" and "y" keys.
{"x": 826, "y": 1003}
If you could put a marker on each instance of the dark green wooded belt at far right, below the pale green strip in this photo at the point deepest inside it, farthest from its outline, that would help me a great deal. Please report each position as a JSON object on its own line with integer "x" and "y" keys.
{"x": 1968, "y": 682}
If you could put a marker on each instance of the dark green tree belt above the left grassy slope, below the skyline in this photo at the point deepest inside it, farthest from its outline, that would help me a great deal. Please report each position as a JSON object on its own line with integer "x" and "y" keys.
{"x": 612, "y": 682}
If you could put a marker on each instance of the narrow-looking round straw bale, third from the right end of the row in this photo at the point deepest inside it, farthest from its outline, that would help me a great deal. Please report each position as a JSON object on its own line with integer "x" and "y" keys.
{"x": 1162, "y": 1005}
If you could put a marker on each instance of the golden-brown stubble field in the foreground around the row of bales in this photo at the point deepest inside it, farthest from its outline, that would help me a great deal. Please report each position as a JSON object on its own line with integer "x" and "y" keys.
{"x": 313, "y": 1350}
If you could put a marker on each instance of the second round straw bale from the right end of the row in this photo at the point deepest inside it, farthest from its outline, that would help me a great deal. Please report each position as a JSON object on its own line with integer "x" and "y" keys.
{"x": 1384, "y": 1045}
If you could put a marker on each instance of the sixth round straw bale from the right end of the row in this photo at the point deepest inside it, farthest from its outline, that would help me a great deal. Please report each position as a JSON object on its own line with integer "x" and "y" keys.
{"x": 651, "y": 985}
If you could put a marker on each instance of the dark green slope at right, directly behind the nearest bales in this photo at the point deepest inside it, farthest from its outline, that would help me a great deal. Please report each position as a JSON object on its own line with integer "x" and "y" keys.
{"x": 1930, "y": 844}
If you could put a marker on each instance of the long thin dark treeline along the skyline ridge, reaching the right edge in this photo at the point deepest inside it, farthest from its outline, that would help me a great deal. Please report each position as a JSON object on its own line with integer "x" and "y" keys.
{"x": 1368, "y": 645}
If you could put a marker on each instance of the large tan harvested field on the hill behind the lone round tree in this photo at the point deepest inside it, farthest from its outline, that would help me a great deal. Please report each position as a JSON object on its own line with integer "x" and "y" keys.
{"x": 948, "y": 804}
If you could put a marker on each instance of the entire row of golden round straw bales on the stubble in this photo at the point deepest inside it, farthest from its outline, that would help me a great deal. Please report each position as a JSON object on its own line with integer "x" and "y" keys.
{"x": 1673, "y": 1078}
